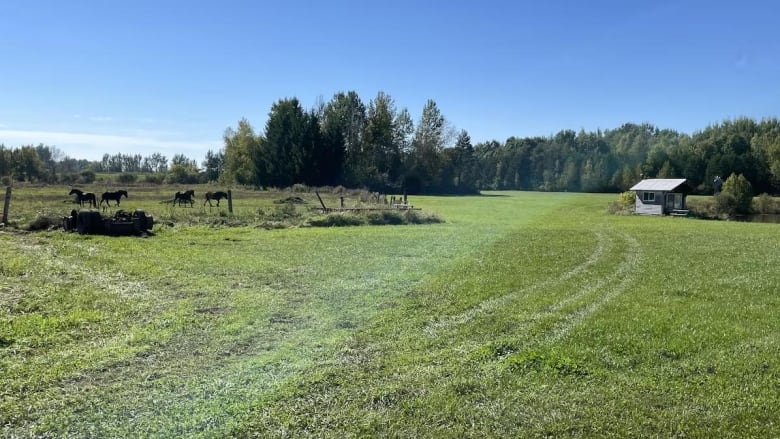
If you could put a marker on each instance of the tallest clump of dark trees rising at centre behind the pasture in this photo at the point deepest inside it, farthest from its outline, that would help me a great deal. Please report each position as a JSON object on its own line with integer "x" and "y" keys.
{"x": 347, "y": 142}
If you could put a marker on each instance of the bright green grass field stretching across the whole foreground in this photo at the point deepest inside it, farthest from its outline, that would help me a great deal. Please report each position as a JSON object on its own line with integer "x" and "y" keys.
{"x": 522, "y": 315}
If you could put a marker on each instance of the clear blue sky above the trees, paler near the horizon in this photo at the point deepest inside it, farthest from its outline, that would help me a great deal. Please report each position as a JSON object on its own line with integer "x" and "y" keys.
{"x": 137, "y": 77}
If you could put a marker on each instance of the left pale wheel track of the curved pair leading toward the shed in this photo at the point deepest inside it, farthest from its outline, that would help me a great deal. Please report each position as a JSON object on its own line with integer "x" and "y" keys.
{"x": 498, "y": 302}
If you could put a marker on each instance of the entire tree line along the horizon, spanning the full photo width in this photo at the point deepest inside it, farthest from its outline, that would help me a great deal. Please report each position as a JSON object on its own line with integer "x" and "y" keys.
{"x": 377, "y": 145}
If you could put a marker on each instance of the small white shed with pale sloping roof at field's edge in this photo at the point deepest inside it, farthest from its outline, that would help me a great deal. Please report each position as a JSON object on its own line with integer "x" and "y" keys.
{"x": 661, "y": 196}
